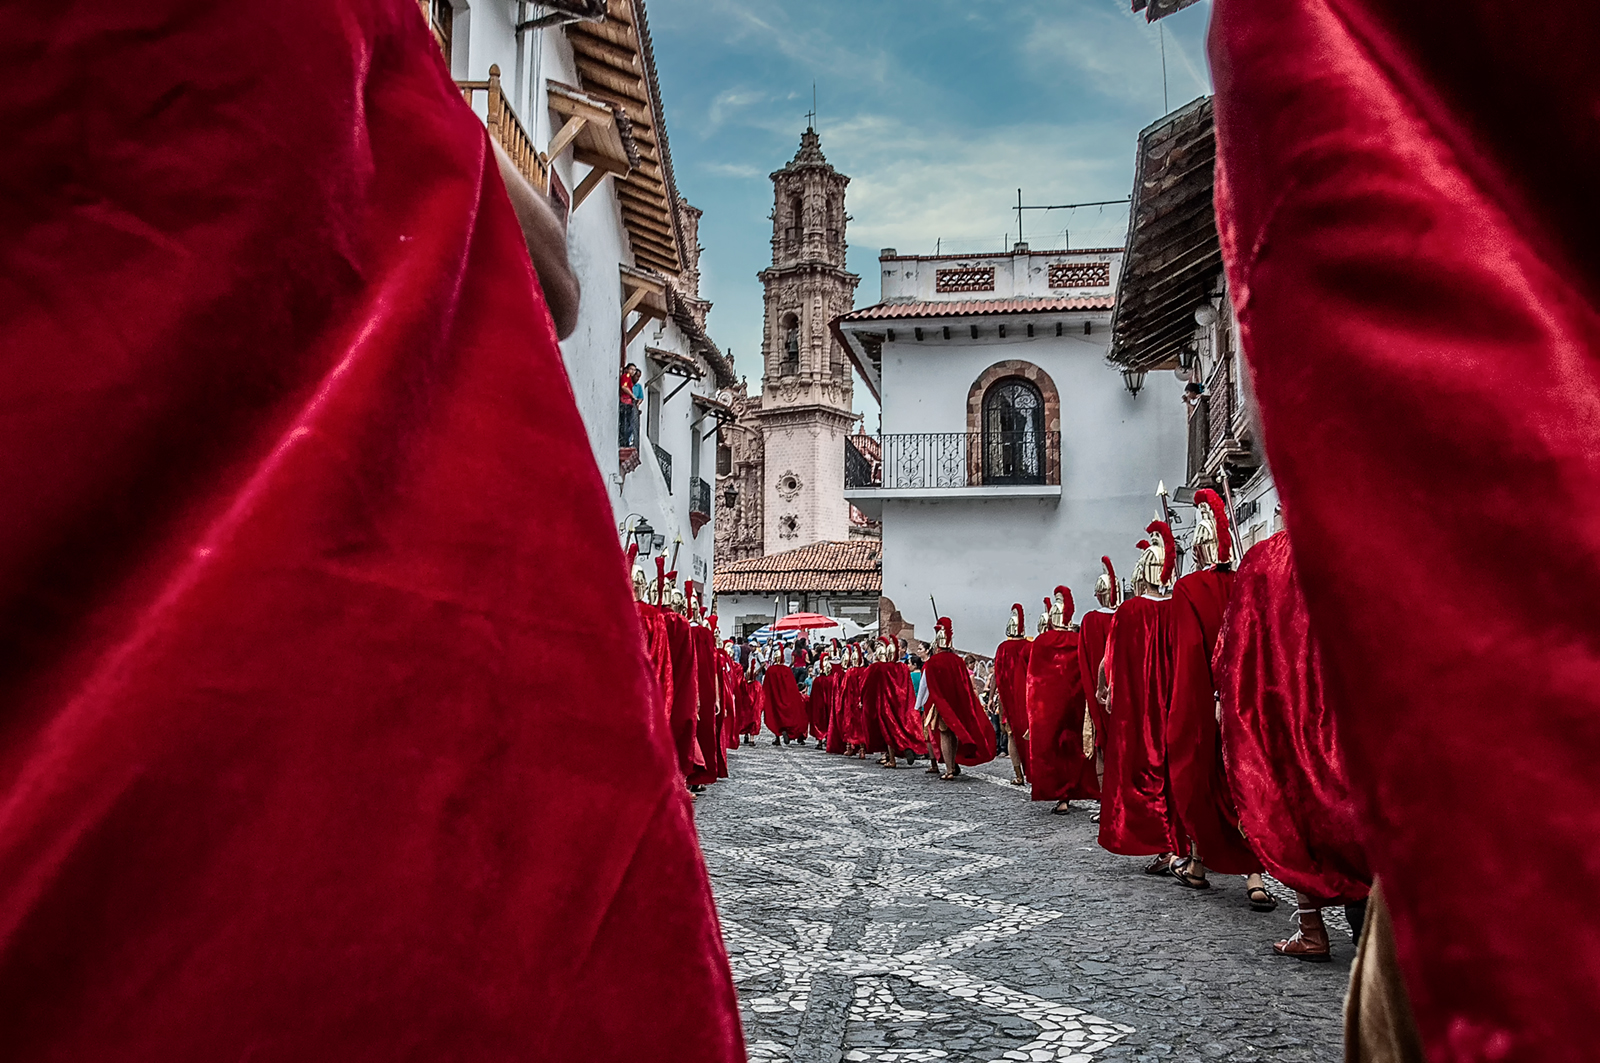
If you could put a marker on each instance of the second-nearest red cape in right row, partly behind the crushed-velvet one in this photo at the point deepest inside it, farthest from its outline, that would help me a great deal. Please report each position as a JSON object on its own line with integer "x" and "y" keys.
{"x": 1202, "y": 800}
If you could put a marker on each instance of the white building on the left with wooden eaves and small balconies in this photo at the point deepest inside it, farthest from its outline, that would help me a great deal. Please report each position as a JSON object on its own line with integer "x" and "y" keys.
{"x": 570, "y": 90}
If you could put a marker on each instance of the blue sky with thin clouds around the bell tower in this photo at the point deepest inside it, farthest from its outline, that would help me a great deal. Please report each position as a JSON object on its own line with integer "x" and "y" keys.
{"x": 938, "y": 111}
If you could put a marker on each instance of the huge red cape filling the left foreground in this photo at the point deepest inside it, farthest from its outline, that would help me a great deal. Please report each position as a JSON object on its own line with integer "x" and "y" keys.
{"x": 284, "y": 745}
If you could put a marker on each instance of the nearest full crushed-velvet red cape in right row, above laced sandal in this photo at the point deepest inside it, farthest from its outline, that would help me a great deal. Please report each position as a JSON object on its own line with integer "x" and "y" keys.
{"x": 1281, "y": 736}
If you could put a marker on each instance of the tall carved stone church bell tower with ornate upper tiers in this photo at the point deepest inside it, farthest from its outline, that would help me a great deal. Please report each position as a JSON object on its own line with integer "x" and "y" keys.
{"x": 806, "y": 404}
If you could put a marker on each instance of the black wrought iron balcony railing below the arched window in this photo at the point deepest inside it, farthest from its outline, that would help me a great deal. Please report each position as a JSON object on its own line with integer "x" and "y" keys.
{"x": 951, "y": 460}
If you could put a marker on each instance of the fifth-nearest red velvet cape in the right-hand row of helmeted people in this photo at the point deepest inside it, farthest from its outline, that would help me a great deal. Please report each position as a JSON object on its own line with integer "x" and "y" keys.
{"x": 1058, "y": 771}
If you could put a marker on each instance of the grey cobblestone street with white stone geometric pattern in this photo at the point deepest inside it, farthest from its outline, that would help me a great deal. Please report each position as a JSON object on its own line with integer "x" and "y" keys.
{"x": 886, "y": 917}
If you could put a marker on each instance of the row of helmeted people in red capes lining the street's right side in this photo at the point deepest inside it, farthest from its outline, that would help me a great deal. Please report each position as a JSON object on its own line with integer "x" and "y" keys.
{"x": 1193, "y": 710}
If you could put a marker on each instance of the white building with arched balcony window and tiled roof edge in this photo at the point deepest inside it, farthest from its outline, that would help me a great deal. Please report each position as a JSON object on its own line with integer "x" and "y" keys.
{"x": 1014, "y": 455}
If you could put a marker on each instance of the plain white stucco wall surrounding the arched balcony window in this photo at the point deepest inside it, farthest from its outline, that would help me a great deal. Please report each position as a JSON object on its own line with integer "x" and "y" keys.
{"x": 980, "y": 555}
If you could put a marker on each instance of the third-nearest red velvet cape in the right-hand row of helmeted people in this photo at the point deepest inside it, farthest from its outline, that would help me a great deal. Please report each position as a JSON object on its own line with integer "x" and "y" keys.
{"x": 1135, "y": 808}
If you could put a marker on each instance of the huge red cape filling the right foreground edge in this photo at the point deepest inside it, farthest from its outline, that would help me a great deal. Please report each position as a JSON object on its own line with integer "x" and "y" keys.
{"x": 1412, "y": 246}
